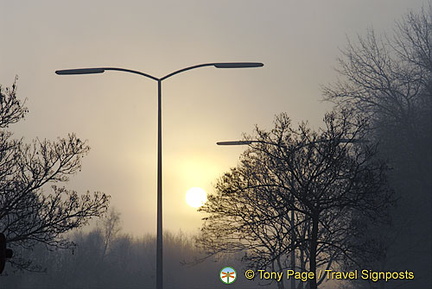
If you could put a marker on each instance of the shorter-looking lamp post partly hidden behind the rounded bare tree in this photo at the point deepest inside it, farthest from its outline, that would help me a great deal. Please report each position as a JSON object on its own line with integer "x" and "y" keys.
{"x": 249, "y": 142}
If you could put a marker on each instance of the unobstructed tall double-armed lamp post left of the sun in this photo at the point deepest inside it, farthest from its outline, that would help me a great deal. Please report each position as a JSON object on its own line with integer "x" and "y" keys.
{"x": 159, "y": 243}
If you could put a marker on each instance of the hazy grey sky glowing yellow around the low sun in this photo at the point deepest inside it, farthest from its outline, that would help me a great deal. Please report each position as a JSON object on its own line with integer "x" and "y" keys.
{"x": 298, "y": 41}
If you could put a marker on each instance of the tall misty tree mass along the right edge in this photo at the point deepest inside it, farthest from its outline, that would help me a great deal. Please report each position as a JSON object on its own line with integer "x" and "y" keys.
{"x": 388, "y": 79}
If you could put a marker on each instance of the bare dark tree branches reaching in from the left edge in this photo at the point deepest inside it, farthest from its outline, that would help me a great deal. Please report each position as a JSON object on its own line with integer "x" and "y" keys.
{"x": 30, "y": 213}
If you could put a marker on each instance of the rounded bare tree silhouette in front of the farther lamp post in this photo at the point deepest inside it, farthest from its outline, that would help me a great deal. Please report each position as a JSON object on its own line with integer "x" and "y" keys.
{"x": 335, "y": 186}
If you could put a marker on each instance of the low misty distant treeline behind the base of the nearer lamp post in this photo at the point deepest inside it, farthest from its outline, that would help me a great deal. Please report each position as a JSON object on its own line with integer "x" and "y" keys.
{"x": 106, "y": 258}
